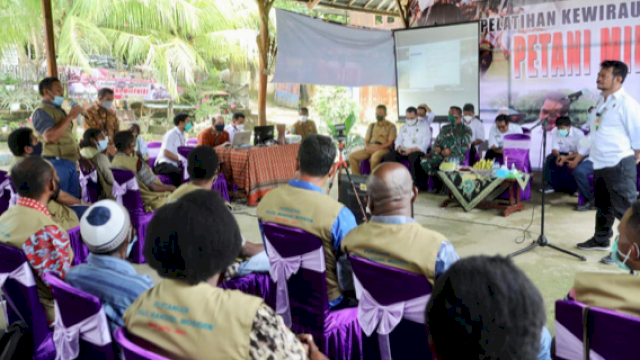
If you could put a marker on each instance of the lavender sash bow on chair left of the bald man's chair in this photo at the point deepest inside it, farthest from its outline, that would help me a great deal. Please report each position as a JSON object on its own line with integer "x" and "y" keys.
{"x": 282, "y": 269}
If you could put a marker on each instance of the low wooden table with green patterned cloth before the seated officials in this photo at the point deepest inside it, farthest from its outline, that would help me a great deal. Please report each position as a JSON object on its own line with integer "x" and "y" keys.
{"x": 470, "y": 189}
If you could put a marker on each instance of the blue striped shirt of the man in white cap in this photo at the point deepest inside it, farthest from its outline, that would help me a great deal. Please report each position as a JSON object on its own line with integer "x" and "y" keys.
{"x": 114, "y": 281}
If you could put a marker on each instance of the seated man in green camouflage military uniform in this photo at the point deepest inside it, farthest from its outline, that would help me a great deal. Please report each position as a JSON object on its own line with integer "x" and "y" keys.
{"x": 451, "y": 144}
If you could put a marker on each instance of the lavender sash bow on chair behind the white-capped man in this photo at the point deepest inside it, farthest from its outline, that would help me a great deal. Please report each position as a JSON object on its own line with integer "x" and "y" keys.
{"x": 94, "y": 330}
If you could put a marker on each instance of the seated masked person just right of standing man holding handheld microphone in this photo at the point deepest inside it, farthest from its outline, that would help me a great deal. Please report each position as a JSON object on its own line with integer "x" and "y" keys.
{"x": 93, "y": 147}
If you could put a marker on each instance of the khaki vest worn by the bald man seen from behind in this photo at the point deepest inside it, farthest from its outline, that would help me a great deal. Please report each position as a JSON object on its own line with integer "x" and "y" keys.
{"x": 409, "y": 247}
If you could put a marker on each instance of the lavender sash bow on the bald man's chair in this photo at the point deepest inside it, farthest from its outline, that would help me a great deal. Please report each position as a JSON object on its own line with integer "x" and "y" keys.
{"x": 372, "y": 315}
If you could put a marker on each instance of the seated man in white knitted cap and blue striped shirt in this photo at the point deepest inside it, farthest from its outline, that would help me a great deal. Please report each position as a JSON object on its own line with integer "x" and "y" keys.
{"x": 106, "y": 230}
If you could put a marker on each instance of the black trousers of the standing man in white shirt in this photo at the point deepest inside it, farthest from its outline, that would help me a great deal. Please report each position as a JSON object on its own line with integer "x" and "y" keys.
{"x": 615, "y": 192}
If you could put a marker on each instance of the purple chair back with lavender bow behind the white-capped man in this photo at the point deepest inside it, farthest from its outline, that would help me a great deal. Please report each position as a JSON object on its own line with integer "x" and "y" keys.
{"x": 81, "y": 330}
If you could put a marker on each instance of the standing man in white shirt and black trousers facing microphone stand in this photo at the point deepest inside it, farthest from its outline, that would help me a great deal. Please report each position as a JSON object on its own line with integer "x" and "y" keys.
{"x": 614, "y": 151}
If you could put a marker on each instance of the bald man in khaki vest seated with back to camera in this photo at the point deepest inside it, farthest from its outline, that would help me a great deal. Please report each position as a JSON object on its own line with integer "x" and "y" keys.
{"x": 391, "y": 236}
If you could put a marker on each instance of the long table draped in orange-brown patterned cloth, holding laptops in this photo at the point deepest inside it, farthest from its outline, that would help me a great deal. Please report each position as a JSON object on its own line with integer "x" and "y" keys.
{"x": 260, "y": 169}
